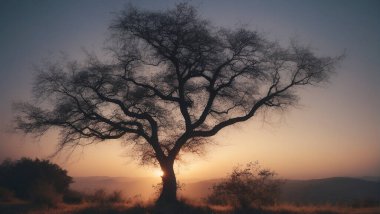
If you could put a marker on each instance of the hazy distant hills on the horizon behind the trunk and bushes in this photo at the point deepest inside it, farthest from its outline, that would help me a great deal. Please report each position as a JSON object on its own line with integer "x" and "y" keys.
{"x": 316, "y": 191}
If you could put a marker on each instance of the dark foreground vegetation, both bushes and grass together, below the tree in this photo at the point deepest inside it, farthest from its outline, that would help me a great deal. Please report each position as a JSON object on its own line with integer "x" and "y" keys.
{"x": 247, "y": 189}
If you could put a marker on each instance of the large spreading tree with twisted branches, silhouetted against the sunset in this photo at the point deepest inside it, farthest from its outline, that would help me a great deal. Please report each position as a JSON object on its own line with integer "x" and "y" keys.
{"x": 171, "y": 81}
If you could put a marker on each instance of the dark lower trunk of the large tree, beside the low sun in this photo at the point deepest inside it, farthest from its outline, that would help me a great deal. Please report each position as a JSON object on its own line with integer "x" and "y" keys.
{"x": 169, "y": 184}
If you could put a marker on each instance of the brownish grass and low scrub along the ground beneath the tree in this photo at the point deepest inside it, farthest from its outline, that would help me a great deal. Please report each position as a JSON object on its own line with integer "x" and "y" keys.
{"x": 100, "y": 202}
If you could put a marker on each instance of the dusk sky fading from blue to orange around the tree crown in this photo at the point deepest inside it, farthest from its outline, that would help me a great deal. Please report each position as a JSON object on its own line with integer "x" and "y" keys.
{"x": 334, "y": 131}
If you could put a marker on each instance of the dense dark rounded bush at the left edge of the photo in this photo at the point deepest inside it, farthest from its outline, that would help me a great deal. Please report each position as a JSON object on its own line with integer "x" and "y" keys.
{"x": 37, "y": 180}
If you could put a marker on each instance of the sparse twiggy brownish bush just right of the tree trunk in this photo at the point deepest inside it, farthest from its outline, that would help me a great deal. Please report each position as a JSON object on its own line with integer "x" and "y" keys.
{"x": 246, "y": 187}
